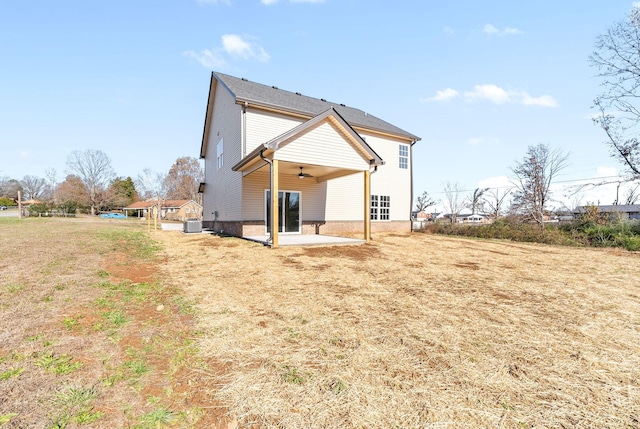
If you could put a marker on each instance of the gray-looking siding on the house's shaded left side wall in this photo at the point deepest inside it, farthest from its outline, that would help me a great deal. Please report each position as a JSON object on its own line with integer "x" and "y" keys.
{"x": 223, "y": 192}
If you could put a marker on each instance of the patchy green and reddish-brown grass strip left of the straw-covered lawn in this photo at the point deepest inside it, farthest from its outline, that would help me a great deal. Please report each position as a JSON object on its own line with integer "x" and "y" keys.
{"x": 89, "y": 337}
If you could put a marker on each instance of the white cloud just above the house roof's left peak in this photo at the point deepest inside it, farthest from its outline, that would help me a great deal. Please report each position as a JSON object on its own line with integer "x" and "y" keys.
{"x": 233, "y": 45}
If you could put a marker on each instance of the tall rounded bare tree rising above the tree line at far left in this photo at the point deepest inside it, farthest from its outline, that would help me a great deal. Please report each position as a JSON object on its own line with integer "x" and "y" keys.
{"x": 94, "y": 169}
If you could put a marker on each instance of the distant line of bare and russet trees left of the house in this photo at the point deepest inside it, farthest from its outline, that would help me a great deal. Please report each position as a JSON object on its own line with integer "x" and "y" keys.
{"x": 91, "y": 184}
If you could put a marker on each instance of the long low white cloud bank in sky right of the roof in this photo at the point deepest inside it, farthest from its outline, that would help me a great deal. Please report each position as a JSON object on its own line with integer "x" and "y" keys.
{"x": 494, "y": 94}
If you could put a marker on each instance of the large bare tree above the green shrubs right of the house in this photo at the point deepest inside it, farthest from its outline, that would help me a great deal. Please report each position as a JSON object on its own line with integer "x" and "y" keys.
{"x": 534, "y": 175}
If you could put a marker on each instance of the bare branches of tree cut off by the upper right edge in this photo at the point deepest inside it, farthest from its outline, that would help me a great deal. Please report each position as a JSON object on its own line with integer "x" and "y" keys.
{"x": 617, "y": 59}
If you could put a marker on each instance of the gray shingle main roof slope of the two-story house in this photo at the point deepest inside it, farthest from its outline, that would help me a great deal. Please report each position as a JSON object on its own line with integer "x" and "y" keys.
{"x": 245, "y": 90}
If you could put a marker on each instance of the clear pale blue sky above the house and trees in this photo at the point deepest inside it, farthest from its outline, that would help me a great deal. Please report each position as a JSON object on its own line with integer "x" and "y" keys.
{"x": 478, "y": 81}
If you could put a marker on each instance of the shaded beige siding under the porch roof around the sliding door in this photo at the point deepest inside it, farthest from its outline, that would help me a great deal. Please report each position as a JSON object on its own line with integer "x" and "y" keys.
{"x": 313, "y": 195}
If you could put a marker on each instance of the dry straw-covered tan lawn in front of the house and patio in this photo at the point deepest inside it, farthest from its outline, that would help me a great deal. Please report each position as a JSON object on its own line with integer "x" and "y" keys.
{"x": 416, "y": 331}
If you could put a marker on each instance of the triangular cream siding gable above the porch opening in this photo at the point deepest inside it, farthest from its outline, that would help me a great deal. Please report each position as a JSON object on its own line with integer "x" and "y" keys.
{"x": 322, "y": 145}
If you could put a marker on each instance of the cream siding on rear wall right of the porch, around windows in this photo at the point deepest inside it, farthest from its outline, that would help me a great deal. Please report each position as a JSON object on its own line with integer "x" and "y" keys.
{"x": 390, "y": 179}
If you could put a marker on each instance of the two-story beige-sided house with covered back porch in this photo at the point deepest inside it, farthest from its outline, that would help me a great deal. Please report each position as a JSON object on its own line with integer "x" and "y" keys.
{"x": 278, "y": 162}
